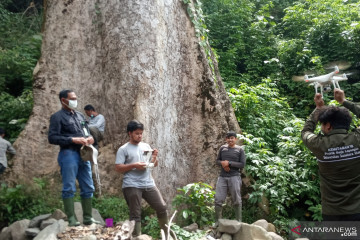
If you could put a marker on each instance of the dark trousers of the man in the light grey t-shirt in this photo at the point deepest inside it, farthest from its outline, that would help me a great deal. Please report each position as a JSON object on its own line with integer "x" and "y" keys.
{"x": 152, "y": 196}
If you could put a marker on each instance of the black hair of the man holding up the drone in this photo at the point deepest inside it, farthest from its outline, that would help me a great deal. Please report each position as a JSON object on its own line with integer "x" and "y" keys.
{"x": 338, "y": 117}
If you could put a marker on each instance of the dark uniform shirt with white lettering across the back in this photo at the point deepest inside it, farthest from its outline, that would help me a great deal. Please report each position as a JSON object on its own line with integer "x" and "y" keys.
{"x": 338, "y": 155}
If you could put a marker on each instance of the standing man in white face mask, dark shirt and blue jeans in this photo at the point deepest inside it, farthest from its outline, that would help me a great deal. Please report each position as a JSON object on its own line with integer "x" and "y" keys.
{"x": 68, "y": 130}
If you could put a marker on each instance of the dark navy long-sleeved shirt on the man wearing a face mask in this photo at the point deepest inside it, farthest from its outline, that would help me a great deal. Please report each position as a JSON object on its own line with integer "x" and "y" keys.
{"x": 64, "y": 125}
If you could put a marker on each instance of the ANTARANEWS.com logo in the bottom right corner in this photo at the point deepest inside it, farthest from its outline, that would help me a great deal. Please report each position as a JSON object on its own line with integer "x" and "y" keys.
{"x": 325, "y": 230}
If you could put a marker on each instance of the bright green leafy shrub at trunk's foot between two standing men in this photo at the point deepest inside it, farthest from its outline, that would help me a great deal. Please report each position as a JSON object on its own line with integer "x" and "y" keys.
{"x": 195, "y": 204}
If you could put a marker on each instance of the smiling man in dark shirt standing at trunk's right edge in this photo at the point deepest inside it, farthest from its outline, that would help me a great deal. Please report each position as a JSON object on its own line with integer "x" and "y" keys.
{"x": 231, "y": 158}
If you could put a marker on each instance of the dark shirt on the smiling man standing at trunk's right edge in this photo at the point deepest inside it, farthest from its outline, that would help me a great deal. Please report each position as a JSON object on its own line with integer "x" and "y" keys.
{"x": 236, "y": 158}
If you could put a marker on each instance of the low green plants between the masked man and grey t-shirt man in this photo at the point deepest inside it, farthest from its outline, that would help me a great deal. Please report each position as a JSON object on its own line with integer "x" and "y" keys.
{"x": 112, "y": 207}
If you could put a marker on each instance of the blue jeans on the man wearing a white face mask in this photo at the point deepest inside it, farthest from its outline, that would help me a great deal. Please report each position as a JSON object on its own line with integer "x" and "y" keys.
{"x": 72, "y": 168}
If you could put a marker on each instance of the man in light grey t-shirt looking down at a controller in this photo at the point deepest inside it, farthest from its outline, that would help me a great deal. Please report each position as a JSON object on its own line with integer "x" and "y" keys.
{"x": 135, "y": 159}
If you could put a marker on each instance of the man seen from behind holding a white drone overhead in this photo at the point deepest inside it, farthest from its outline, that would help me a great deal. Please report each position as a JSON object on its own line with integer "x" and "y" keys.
{"x": 338, "y": 154}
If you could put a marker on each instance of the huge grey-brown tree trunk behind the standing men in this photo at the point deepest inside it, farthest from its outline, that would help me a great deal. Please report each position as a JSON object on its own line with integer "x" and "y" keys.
{"x": 130, "y": 60}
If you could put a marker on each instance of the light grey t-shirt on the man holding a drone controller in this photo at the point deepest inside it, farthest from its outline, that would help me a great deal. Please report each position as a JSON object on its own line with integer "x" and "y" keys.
{"x": 130, "y": 153}
